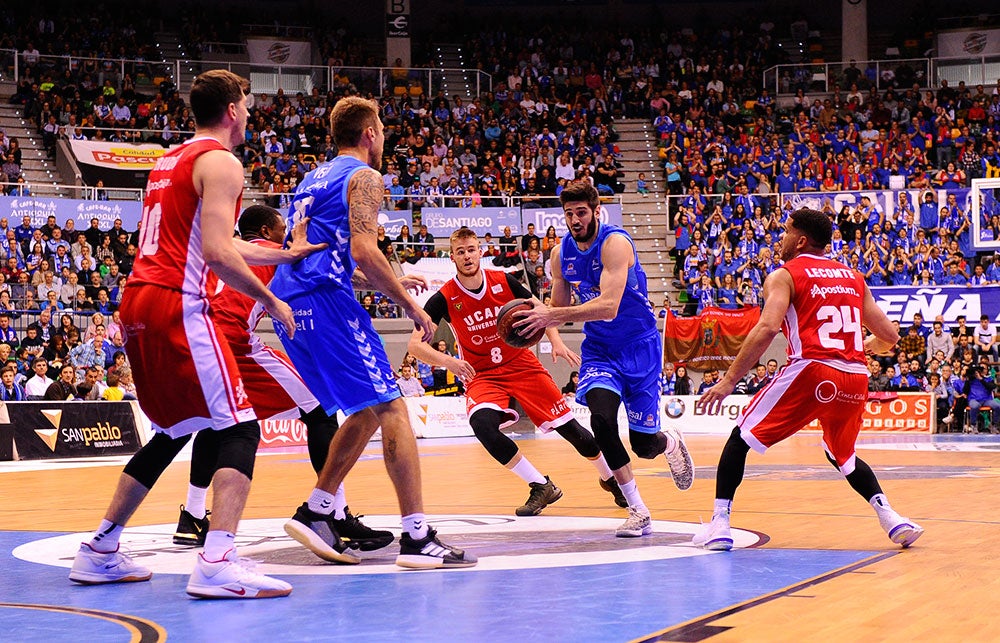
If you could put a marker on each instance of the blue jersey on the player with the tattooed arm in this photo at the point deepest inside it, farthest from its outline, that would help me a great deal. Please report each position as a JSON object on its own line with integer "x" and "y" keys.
{"x": 321, "y": 196}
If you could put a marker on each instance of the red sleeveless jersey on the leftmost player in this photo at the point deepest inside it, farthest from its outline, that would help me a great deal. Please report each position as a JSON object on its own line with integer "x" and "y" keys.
{"x": 170, "y": 254}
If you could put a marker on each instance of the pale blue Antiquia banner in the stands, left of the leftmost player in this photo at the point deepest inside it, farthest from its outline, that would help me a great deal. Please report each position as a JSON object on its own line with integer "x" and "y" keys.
{"x": 14, "y": 208}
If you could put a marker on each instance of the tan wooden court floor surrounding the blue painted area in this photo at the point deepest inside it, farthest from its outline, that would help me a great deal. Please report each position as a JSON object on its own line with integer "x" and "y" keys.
{"x": 945, "y": 588}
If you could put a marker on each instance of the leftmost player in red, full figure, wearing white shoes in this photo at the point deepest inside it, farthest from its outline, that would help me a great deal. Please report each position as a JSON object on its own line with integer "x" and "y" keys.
{"x": 186, "y": 377}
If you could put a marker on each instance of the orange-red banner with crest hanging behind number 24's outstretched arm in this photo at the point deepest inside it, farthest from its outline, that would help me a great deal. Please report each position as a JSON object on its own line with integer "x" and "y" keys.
{"x": 710, "y": 340}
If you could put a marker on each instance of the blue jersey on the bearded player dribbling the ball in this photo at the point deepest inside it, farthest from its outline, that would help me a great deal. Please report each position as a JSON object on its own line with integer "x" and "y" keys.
{"x": 635, "y": 318}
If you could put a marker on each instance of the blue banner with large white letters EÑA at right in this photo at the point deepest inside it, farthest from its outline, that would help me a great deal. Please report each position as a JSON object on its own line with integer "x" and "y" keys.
{"x": 900, "y": 303}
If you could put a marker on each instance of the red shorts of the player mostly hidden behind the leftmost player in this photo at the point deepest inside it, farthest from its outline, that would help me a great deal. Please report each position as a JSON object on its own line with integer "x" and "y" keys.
{"x": 275, "y": 388}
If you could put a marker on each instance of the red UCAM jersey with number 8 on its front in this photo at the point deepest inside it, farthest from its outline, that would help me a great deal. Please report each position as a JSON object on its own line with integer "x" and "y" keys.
{"x": 473, "y": 318}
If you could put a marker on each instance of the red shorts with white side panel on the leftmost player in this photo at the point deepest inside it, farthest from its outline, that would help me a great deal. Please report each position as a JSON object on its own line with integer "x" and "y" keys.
{"x": 186, "y": 377}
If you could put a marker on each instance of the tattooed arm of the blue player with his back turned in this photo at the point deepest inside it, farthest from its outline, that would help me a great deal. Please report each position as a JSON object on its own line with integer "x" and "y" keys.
{"x": 364, "y": 196}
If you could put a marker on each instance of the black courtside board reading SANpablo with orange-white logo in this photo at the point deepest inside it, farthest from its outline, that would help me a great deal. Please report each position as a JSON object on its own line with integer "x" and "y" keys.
{"x": 73, "y": 429}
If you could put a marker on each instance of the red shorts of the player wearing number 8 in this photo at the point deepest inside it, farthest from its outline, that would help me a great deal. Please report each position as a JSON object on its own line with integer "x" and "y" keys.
{"x": 526, "y": 381}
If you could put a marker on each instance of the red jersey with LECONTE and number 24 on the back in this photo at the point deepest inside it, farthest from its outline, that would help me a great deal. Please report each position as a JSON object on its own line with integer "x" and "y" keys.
{"x": 823, "y": 322}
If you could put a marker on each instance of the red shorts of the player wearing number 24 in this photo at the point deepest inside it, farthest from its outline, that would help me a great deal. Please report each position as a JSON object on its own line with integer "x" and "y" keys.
{"x": 802, "y": 392}
